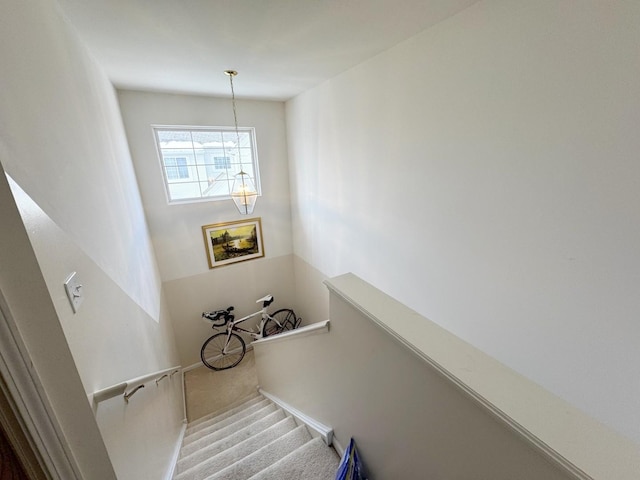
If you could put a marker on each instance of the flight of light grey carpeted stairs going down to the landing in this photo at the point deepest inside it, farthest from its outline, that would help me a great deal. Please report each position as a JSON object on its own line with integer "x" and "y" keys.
{"x": 253, "y": 439}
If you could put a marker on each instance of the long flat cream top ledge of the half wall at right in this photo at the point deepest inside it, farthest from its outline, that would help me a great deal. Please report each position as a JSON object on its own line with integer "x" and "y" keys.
{"x": 569, "y": 438}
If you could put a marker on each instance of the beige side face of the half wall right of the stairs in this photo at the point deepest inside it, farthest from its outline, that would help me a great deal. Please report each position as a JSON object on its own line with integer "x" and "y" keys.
{"x": 408, "y": 420}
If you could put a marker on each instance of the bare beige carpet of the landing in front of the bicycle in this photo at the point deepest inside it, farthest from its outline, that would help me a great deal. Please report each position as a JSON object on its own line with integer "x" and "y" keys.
{"x": 208, "y": 390}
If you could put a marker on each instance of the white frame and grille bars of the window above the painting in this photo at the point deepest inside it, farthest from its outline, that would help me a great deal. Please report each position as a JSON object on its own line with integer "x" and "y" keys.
{"x": 193, "y": 167}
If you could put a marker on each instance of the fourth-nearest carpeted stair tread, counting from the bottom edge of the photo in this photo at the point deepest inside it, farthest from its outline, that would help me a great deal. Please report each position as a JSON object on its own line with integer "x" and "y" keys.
{"x": 214, "y": 448}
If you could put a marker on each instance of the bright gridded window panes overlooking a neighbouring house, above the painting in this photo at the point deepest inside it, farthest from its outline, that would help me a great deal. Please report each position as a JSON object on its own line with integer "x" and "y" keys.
{"x": 200, "y": 163}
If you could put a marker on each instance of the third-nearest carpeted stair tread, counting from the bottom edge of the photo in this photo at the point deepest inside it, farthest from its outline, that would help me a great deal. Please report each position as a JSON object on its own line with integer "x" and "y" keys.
{"x": 207, "y": 465}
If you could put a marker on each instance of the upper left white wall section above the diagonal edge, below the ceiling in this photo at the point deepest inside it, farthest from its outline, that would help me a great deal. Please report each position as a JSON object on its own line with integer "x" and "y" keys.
{"x": 57, "y": 104}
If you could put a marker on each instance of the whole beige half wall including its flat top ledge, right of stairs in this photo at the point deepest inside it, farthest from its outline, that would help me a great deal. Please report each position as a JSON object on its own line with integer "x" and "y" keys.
{"x": 389, "y": 377}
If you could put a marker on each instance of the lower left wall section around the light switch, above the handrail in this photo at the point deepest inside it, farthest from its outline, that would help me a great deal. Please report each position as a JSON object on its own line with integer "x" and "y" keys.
{"x": 111, "y": 337}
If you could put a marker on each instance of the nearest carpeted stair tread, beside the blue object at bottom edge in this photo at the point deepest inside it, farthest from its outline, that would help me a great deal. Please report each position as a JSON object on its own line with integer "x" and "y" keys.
{"x": 312, "y": 461}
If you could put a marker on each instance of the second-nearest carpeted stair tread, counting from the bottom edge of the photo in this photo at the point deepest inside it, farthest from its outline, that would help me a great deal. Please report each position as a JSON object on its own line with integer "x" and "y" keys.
{"x": 262, "y": 458}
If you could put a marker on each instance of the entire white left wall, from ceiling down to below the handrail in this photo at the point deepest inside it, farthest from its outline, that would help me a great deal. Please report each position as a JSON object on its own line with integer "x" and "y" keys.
{"x": 62, "y": 141}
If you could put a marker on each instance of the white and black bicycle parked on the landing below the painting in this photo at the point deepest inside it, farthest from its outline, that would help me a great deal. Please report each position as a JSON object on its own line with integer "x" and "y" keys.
{"x": 226, "y": 350}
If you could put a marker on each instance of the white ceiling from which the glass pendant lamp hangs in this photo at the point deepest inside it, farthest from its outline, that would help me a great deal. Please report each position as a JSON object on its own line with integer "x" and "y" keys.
{"x": 279, "y": 47}
